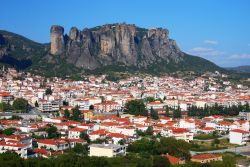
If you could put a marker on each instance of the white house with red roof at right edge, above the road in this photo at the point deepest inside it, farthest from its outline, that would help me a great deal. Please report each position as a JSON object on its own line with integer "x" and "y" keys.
{"x": 238, "y": 136}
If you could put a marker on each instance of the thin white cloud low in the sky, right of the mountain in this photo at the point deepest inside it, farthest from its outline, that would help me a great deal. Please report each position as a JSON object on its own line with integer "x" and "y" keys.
{"x": 202, "y": 51}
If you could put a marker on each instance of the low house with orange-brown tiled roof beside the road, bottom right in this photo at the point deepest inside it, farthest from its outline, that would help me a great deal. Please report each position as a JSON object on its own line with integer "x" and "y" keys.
{"x": 206, "y": 158}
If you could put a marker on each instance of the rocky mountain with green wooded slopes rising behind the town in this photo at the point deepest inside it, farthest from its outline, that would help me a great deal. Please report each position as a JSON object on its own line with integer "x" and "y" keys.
{"x": 111, "y": 47}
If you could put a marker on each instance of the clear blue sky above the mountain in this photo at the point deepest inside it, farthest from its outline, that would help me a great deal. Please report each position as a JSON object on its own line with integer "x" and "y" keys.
{"x": 218, "y": 30}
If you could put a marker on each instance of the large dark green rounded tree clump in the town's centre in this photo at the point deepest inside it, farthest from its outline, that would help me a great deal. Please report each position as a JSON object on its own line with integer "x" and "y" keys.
{"x": 136, "y": 107}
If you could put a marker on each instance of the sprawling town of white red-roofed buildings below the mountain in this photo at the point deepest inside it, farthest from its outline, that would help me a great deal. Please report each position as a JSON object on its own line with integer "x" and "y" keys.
{"x": 44, "y": 117}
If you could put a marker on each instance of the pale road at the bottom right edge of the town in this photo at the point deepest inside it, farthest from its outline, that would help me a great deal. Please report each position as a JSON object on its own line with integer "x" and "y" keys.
{"x": 241, "y": 150}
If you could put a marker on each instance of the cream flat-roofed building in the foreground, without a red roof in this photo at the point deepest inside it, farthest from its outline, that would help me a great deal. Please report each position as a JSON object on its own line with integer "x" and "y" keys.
{"x": 107, "y": 150}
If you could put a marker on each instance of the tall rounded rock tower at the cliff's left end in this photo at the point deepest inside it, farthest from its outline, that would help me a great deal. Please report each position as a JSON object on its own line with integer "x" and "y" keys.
{"x": 57, "y": 40}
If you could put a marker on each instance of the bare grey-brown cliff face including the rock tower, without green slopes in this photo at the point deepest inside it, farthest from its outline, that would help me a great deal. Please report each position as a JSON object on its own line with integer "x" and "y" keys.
{"x": 114, "y": 44}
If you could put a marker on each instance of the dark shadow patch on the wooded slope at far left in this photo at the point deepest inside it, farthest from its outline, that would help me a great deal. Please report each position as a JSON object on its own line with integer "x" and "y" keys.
{"x": 18, "y": 64}
